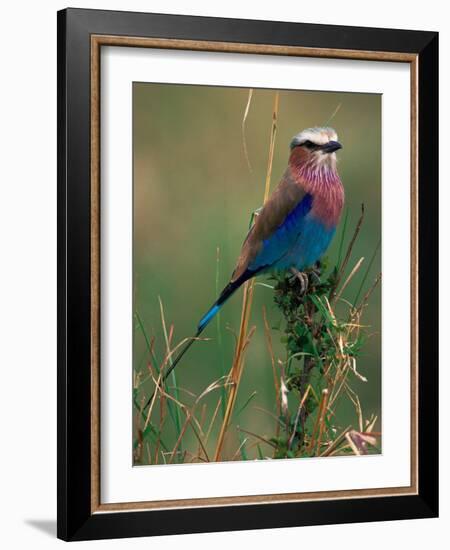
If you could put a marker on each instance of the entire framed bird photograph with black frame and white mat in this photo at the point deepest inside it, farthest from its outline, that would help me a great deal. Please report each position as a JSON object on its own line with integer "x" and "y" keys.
{"x": 247, "y": 254}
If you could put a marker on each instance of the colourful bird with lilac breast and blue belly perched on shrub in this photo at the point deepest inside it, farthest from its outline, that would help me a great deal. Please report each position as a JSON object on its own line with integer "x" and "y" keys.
{"x": 296, "y": 224}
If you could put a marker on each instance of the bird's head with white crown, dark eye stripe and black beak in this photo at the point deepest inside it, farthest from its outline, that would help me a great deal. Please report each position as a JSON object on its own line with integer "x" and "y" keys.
{"x": 315, "y": 148}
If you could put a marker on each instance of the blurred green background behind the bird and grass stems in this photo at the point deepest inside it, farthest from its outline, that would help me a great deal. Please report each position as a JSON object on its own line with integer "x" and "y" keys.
{"x": 194, "y": 194}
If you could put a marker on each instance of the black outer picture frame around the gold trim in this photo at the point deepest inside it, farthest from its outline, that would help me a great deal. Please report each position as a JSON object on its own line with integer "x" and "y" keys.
{"x": 76, "y": 521}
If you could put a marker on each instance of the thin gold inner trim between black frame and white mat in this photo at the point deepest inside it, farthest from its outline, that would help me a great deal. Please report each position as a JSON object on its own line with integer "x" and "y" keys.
{"x": 97, "y": 41}
